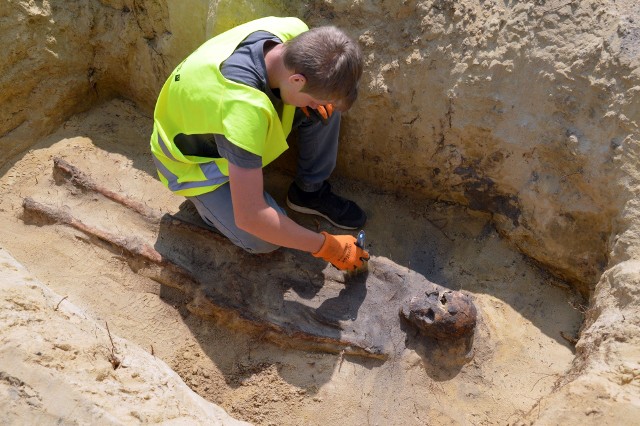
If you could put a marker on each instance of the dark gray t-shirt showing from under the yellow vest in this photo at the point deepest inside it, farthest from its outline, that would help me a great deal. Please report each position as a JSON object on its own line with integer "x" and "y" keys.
{"x": 246, "y": 66}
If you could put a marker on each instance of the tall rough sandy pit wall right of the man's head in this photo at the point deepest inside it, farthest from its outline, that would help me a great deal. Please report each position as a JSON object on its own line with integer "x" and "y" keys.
{"x": 516, "y": 108}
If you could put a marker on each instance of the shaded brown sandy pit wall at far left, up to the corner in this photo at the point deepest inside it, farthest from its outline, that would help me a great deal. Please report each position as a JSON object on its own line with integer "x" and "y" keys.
{"x": 44, "y": 70}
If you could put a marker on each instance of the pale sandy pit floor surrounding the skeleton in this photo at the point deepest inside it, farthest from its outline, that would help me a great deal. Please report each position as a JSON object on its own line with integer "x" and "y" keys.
{"x": 518, "y": 353}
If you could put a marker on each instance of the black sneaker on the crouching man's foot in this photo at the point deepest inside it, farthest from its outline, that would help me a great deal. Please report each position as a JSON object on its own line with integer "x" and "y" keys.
{"x": 339, "y": 211}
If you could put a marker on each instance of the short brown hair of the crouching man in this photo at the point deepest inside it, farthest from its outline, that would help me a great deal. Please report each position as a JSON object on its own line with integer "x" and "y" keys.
{"x": 330, "y": 61}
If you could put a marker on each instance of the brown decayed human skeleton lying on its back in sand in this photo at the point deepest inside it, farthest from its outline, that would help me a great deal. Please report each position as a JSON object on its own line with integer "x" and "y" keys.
{"x": 288, "y": 297}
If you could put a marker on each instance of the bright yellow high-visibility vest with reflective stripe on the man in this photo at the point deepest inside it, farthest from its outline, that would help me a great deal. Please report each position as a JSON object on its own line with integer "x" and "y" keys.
{"x": 197, "y": 99}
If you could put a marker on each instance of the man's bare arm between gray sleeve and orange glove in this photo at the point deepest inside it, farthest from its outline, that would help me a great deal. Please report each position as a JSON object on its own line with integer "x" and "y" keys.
{"x": 255, "y": 216}
